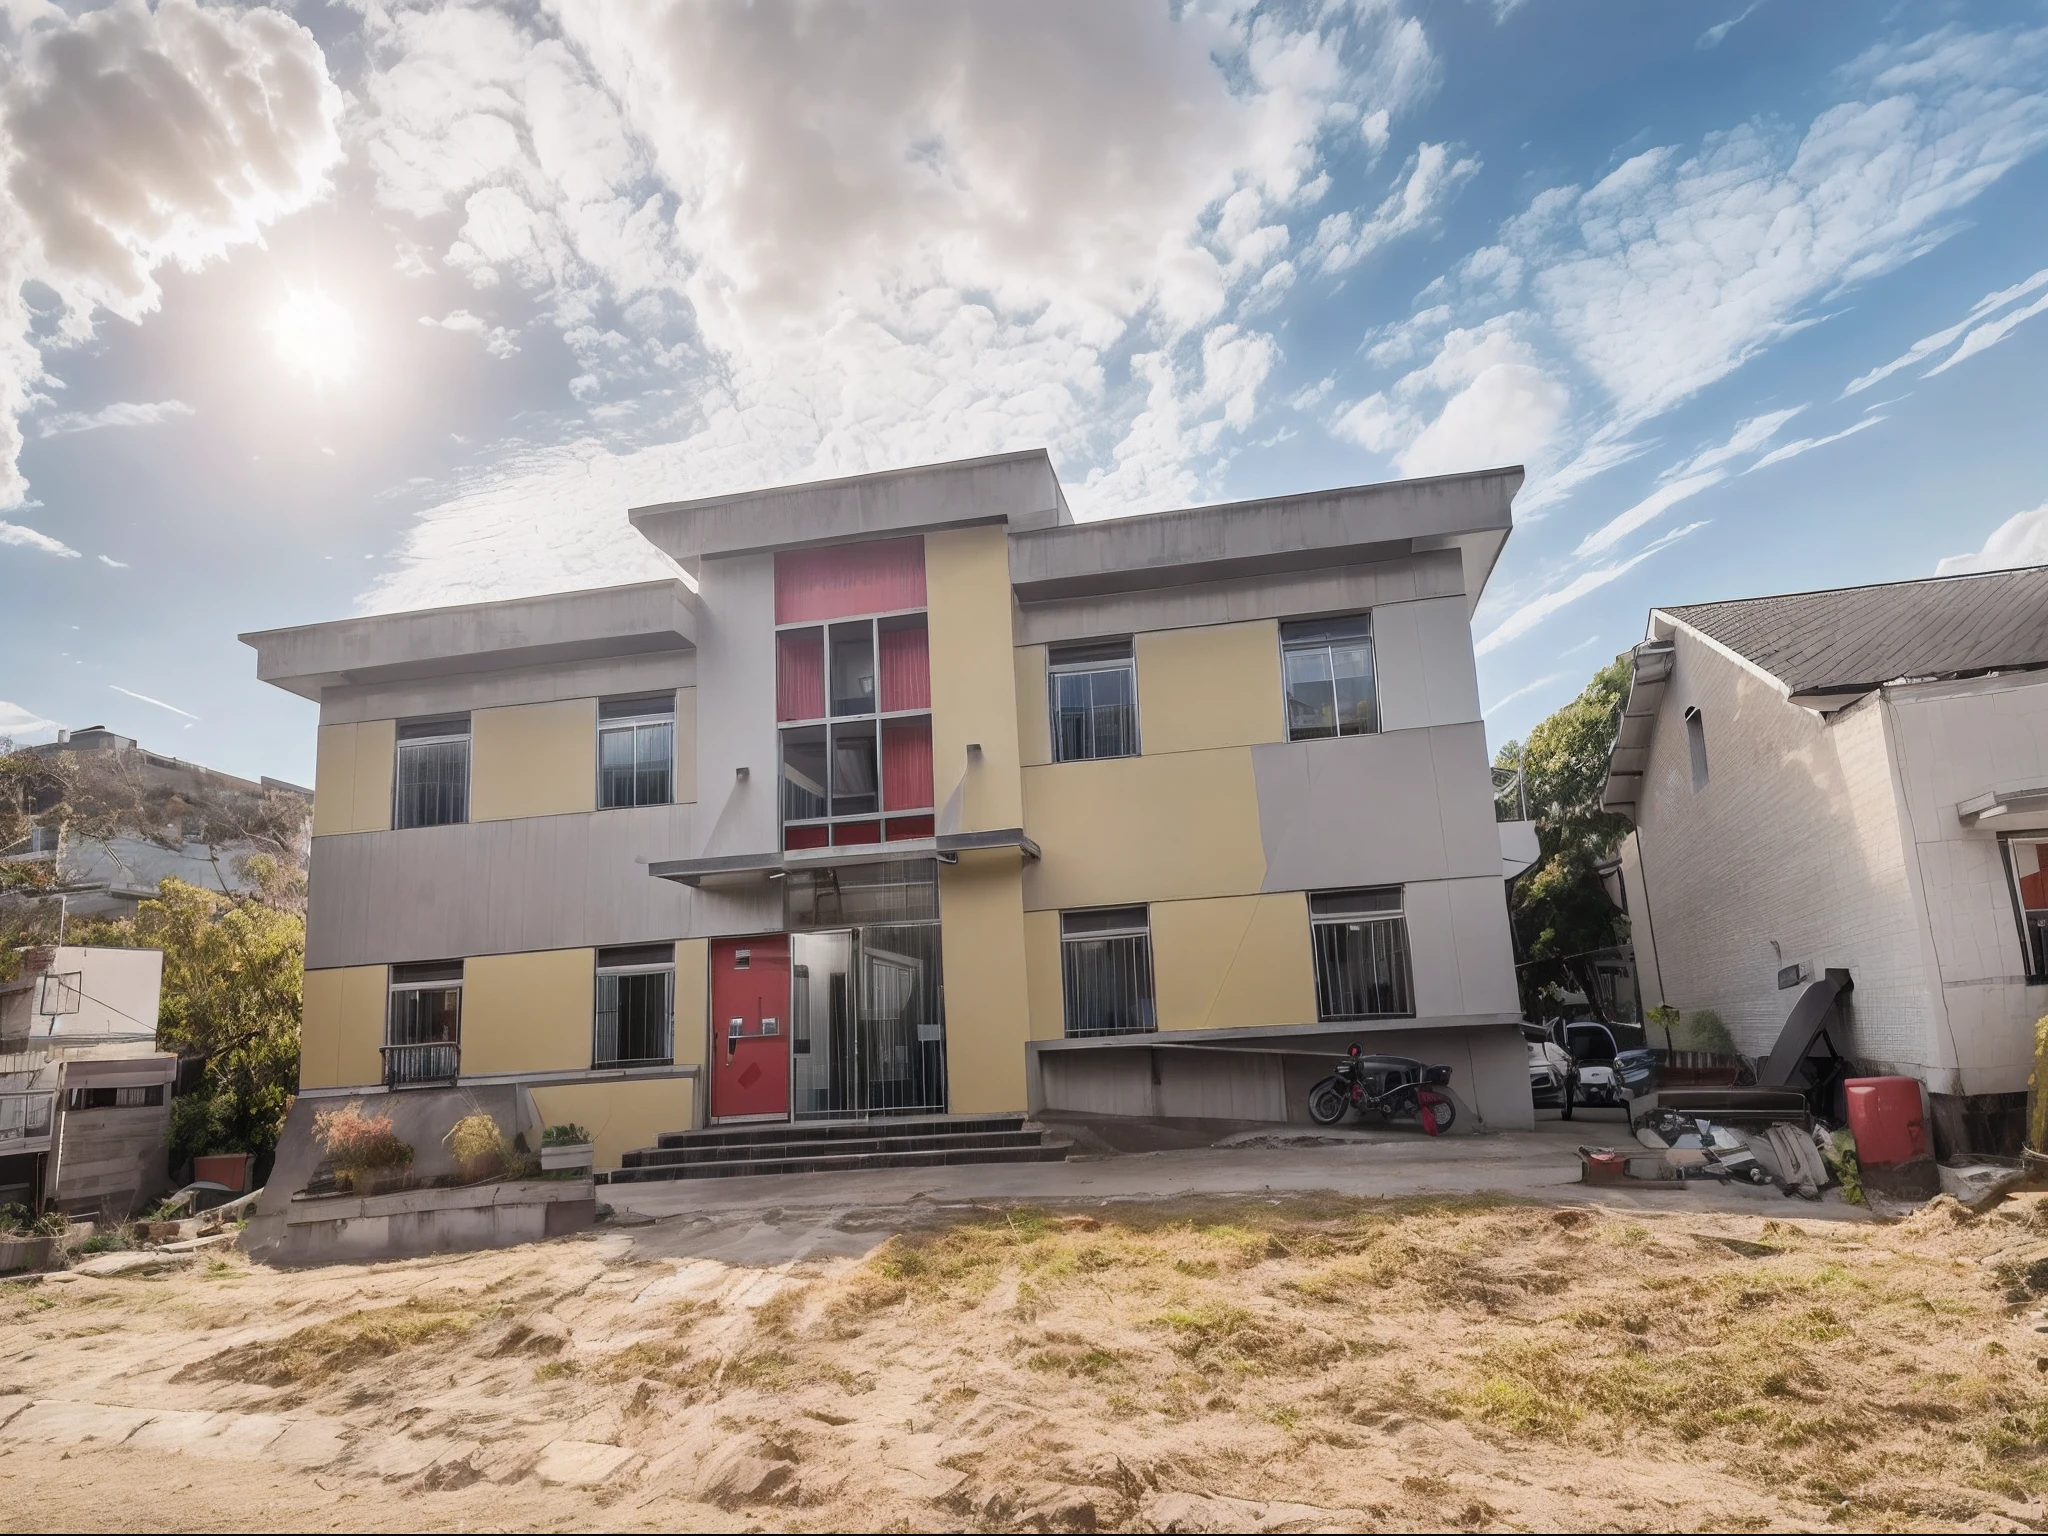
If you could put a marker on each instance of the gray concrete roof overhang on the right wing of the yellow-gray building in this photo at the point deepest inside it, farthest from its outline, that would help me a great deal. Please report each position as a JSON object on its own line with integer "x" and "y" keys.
{"x": 1273, "y": 536}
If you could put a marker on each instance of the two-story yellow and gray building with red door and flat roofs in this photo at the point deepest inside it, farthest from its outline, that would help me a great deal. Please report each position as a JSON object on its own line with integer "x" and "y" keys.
{"x": 916, "y": 796}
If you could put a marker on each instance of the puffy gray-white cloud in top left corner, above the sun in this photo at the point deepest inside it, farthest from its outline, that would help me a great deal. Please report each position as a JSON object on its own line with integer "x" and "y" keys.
{"x": 140, "y": 136}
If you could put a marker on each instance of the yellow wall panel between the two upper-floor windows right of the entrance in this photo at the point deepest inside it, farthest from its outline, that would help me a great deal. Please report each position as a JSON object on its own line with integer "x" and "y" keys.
{"x": 1215, "y": 687}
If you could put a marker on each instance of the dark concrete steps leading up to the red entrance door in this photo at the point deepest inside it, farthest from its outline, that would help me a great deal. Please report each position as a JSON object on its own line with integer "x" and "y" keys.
{"x": 837, "y": 1148}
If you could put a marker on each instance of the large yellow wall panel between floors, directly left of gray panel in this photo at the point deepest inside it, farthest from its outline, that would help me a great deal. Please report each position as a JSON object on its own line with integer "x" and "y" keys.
{"x": 1154, "y": 828}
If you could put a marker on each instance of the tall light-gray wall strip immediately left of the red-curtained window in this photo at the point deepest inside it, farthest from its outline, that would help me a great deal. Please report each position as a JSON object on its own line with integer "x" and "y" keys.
{"x": 736, "y": 710}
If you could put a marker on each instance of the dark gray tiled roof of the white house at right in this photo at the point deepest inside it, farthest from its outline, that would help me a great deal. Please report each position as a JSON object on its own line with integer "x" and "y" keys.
{"x": 1857, "y": 638}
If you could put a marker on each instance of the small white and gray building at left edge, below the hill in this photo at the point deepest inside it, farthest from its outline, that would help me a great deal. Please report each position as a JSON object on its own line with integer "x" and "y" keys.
{"x": 85, "y": 1095}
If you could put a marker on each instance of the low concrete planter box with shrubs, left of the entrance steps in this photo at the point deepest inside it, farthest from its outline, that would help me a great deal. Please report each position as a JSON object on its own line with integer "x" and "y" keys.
{"x": 370, "y": 1228}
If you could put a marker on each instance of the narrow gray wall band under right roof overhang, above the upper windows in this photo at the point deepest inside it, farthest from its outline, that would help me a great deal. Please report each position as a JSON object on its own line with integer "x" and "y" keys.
{"x": 1289, "y": 595}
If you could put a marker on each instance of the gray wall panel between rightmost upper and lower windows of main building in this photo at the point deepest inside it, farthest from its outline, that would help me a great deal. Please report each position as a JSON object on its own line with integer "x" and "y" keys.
{"x": 1377, "y": 810}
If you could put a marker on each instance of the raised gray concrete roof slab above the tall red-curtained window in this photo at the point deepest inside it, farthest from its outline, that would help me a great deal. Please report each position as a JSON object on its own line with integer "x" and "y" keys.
{"x": 1017, "y": 488}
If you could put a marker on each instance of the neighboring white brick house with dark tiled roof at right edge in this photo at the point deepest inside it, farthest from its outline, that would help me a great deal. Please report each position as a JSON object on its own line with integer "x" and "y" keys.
{"x": 1852, "y": 779}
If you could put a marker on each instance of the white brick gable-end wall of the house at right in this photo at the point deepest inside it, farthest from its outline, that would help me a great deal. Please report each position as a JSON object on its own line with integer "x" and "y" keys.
{"x": 1795, "y": 839}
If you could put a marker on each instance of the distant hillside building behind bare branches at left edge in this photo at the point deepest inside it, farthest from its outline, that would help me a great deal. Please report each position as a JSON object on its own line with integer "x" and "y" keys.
{"x": 110, "y": 878}
